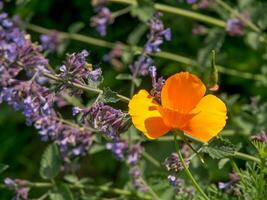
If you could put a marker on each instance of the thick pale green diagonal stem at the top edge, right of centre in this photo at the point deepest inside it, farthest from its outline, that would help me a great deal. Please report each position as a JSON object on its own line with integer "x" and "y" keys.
{"x": 178, "y": 11}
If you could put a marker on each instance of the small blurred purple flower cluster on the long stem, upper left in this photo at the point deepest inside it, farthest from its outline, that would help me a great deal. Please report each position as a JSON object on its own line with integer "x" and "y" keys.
{"x": 50, "y": 41}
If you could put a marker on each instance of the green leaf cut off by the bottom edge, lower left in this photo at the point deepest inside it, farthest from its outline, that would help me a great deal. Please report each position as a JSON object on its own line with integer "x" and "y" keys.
{"x": 62, "y": 192}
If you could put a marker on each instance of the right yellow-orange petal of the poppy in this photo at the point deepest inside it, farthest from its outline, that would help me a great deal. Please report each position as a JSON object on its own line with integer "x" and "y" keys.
{"x": 209, "y": 121}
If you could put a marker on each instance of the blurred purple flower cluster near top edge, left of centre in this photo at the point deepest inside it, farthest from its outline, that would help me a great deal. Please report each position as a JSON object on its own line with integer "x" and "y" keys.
{"x": 102, "y": 20}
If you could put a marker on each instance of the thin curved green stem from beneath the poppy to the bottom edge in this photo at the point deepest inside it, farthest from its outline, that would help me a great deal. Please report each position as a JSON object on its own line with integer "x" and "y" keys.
{"x": 188, "y": 173}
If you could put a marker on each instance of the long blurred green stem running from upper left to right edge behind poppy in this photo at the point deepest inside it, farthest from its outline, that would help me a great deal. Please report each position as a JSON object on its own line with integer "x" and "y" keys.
{"x": 165, "y": 55}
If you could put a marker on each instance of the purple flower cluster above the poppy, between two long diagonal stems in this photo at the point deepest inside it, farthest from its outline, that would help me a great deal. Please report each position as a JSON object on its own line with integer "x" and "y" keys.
{"x": 157, "y": 34}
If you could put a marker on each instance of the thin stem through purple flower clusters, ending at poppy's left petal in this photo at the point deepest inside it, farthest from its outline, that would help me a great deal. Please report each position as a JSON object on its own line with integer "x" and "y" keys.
{"x": 84, "y": 87}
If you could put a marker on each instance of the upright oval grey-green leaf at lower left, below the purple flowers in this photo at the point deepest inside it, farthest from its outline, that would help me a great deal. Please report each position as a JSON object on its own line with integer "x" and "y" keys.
{"x": 50, "y": 162}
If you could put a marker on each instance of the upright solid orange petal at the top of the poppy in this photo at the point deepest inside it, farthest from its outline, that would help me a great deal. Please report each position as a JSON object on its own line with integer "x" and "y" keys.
{"x": 182, "y": 92}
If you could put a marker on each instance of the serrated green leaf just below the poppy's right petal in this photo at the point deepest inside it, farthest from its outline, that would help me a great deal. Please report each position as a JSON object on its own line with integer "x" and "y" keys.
{"x": 219, "y": 148}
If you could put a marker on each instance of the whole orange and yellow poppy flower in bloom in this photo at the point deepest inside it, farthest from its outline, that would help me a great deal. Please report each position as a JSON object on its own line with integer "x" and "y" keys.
{"x": 184, "y": 107}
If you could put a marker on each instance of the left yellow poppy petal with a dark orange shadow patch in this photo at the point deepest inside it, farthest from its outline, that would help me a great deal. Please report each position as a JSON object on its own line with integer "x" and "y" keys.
{"x": 145, "y": 116}
